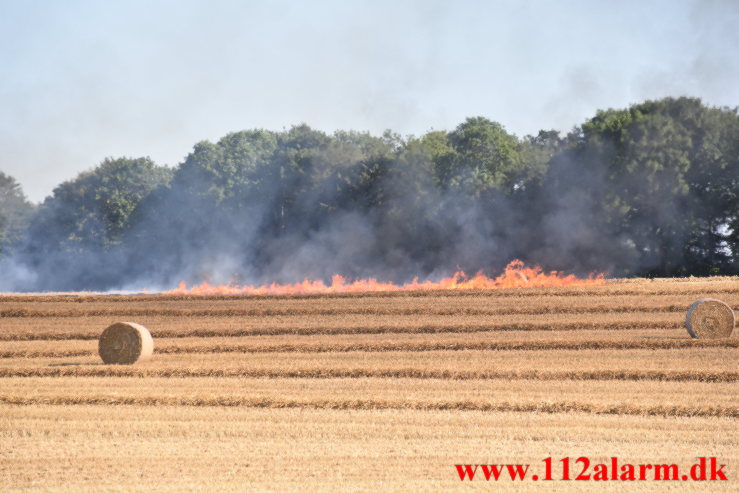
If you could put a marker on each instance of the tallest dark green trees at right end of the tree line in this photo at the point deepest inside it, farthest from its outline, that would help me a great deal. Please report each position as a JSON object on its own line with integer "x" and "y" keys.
{"x": 672, "y": 180}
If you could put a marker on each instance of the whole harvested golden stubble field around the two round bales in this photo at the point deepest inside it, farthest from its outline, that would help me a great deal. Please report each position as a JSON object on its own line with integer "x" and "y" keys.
{"x": 381, "y": 392}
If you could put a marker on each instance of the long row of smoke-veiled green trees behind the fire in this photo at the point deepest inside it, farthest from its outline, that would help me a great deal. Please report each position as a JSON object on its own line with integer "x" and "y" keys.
{"x": 651, "y": 190}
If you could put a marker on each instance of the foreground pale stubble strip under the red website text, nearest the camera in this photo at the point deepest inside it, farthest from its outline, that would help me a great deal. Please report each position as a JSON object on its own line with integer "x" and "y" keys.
{"x": 235, "y": 449}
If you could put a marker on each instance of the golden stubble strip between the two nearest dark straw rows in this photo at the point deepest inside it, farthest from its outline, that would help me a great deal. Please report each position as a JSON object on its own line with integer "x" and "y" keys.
{"x": 599, "y": 397}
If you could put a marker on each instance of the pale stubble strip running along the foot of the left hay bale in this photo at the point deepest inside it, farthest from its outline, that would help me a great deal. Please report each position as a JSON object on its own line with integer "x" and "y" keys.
{"x": 707, "y": 359}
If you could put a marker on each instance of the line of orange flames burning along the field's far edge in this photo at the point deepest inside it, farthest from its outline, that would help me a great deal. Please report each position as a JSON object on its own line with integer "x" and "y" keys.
{"x": 515, "y": 275}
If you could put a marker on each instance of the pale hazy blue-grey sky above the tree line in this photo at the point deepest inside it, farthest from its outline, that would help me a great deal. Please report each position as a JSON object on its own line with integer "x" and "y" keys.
{"x": 84, "y": 80}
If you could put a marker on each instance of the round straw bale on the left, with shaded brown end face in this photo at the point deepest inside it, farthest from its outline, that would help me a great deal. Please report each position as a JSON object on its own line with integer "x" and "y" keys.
{"x": 125, "y": 343}
